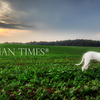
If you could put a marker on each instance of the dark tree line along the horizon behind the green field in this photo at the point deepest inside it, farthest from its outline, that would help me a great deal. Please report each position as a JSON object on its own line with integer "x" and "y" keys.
{"x": 77, "y": 42}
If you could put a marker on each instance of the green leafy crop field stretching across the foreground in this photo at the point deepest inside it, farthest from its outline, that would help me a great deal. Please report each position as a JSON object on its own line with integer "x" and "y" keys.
{"x": 48, "y": 75}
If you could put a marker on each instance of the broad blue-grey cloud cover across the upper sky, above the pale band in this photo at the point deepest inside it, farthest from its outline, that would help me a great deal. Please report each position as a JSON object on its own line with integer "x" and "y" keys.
{"x": 49, "y": 14}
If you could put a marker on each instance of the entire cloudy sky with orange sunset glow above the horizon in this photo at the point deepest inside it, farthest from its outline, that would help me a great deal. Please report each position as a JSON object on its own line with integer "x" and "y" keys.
{"x": 49, "y": 20}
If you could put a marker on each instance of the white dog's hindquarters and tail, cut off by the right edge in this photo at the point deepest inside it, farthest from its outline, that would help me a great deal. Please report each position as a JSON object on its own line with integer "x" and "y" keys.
{"x": 87, "y": 57}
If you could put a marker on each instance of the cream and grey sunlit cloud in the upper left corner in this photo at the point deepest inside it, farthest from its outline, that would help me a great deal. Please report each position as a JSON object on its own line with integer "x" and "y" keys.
{"x": 10, "y": 18}
